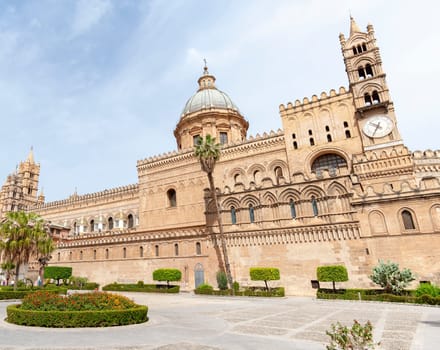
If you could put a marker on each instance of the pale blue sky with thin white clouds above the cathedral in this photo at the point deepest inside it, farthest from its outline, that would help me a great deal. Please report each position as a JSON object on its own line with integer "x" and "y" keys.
{"x": 95, "y": 85}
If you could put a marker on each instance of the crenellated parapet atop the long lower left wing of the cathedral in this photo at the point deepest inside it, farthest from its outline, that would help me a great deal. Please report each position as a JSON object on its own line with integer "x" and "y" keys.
{"x": 101, "y": 196}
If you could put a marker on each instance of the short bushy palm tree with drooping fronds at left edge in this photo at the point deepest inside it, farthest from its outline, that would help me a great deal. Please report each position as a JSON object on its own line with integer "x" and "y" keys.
{"x": 22, "y": 236}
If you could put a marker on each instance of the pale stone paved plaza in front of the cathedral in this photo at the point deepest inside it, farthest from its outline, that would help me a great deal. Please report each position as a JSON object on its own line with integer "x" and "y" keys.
{"x": 188, "y": 321}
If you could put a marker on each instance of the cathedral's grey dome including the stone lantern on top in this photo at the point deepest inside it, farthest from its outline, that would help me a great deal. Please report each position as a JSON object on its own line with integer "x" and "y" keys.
{"x": 208, "y": 97}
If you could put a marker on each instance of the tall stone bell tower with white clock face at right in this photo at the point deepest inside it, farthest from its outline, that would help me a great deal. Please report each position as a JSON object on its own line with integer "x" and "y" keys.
{"x": 374, "y": 107}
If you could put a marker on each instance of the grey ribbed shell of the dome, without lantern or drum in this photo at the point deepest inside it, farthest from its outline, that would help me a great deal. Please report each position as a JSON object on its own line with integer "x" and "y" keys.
{"x": 207, "y": 99}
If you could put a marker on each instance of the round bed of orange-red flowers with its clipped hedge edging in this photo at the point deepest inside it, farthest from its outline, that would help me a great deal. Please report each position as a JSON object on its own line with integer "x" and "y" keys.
{"x": 96, "y": 309}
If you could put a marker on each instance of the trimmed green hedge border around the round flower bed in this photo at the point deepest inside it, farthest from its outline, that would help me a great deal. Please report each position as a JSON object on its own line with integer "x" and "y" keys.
{"x": 68, "y": 319}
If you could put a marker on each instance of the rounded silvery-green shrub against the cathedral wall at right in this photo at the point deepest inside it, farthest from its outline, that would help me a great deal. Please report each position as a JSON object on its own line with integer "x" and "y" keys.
{"x": 390, "y": 278}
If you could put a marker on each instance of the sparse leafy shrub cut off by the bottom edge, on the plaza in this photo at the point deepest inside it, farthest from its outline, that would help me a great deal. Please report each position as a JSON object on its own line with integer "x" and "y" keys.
{"x": 356, "y": 337}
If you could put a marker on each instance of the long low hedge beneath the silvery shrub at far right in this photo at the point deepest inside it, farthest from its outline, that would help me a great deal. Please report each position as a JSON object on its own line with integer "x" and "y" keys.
{"x": 376, "y": 295}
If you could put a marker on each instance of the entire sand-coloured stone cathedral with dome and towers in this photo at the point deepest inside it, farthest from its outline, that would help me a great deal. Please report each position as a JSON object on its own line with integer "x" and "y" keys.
{"x": 335, "y": 186}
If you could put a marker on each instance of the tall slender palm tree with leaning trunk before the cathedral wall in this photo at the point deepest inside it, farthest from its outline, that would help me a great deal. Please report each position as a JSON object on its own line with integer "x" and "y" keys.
{"x": 208, "y": 152}
